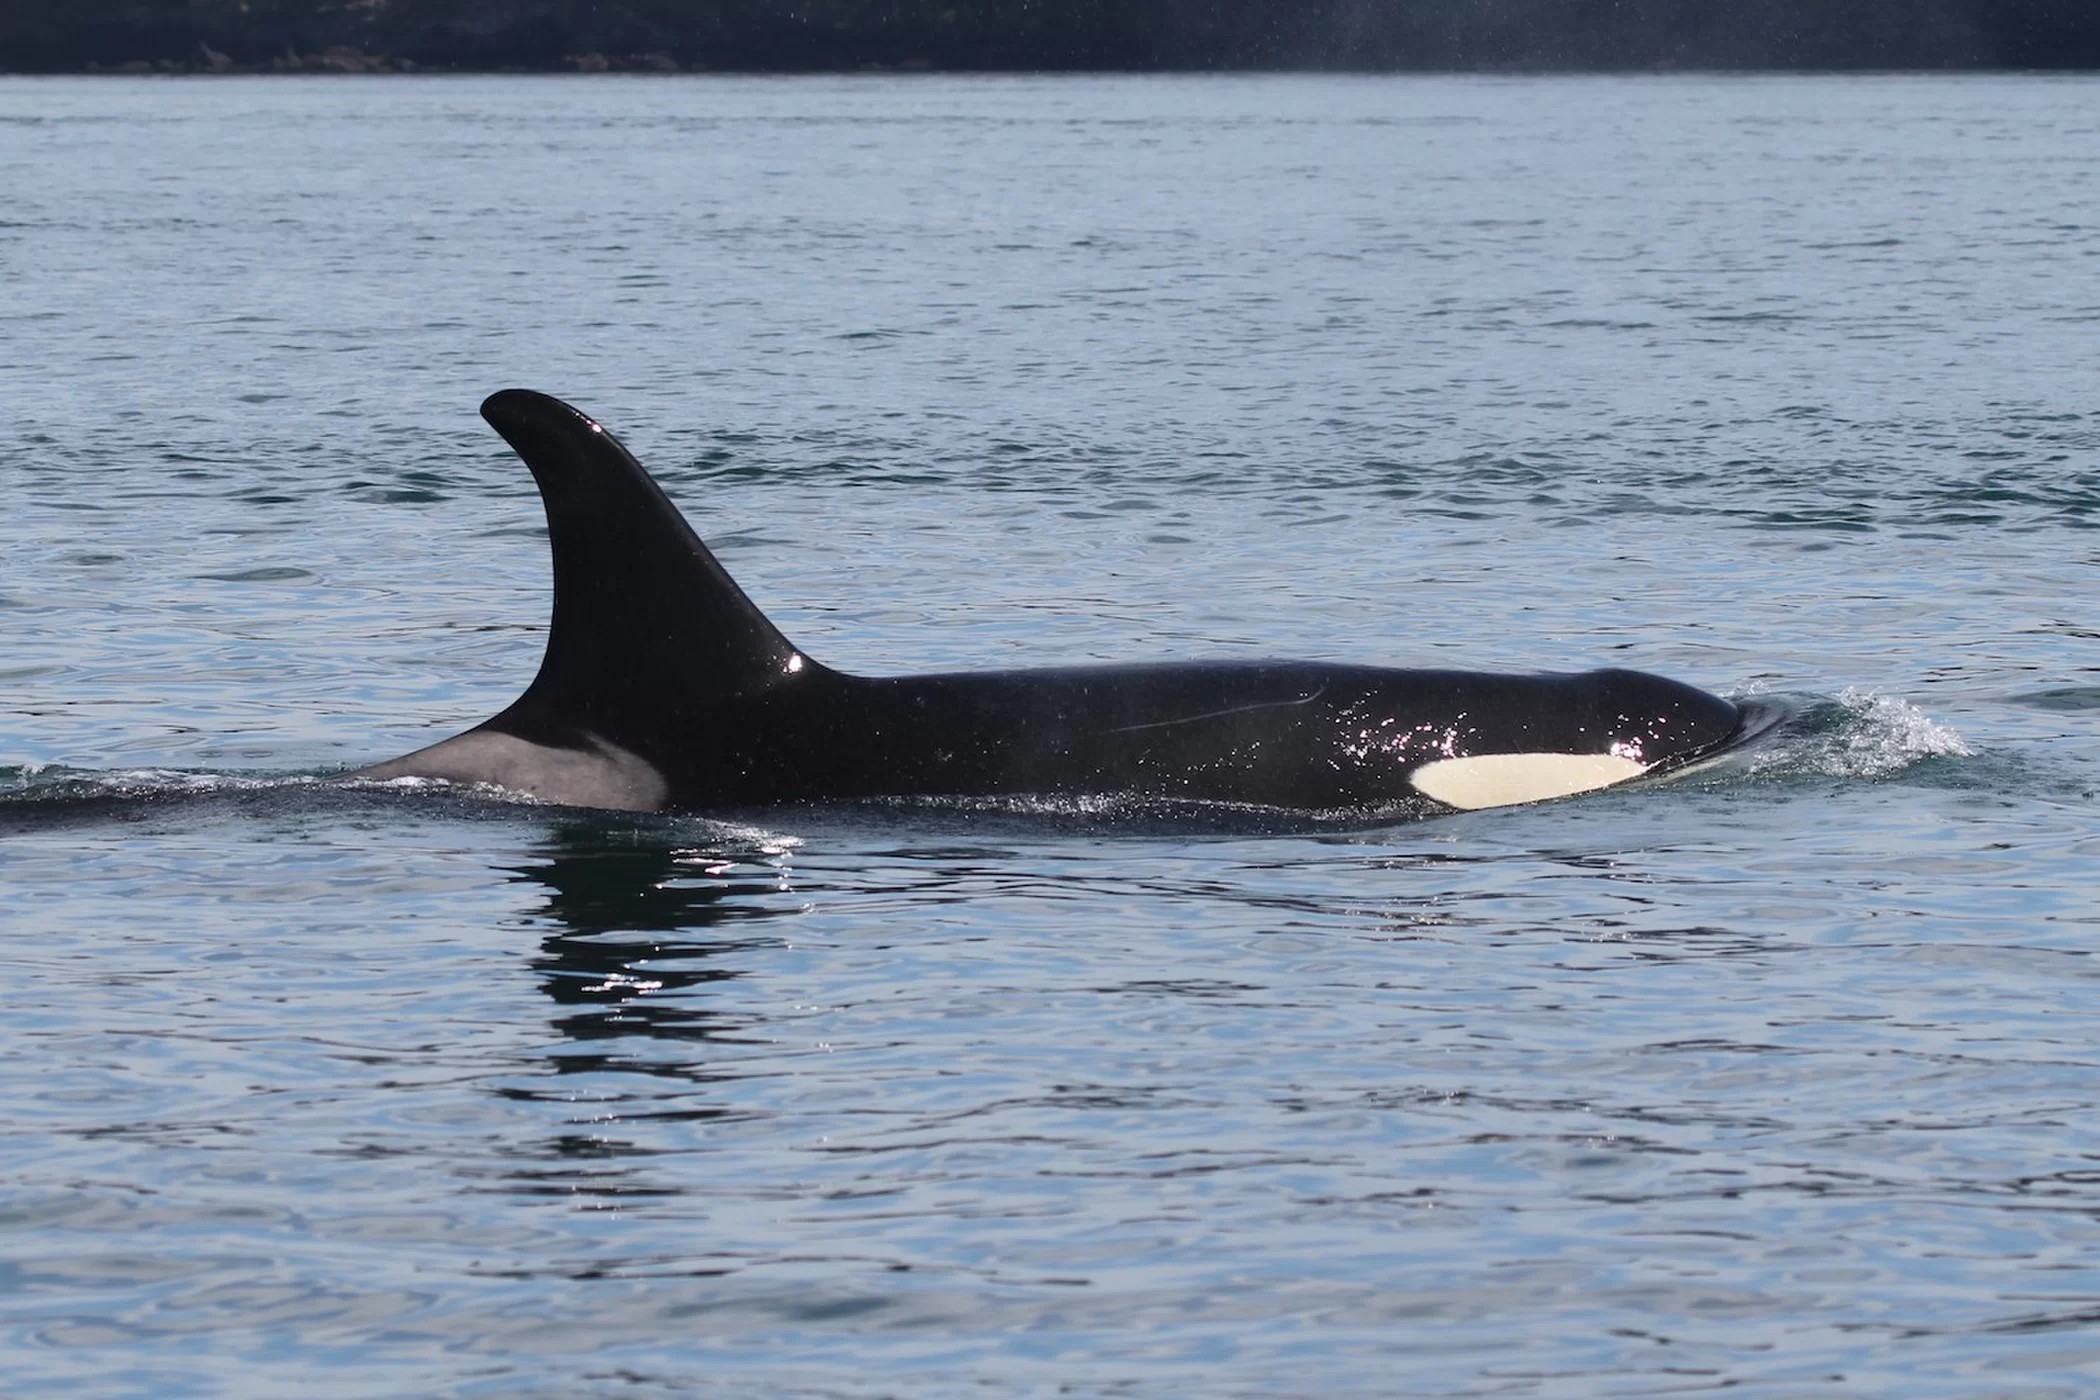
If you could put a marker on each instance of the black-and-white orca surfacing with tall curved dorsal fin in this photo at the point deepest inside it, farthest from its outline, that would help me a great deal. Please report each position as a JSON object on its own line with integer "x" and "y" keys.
{"x": 667, "y": 690}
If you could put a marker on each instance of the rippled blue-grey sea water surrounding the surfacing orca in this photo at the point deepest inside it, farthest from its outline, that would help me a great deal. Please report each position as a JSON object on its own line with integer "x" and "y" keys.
{"x": 1778, "y": 1080}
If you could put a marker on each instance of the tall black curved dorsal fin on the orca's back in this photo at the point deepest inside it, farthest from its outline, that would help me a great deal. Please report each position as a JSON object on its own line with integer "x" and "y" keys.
{"x": 646, "y": 620}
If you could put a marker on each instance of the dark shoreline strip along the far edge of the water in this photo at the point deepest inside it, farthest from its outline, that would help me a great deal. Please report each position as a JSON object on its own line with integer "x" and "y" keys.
{"x": 1047, "y": 35}
